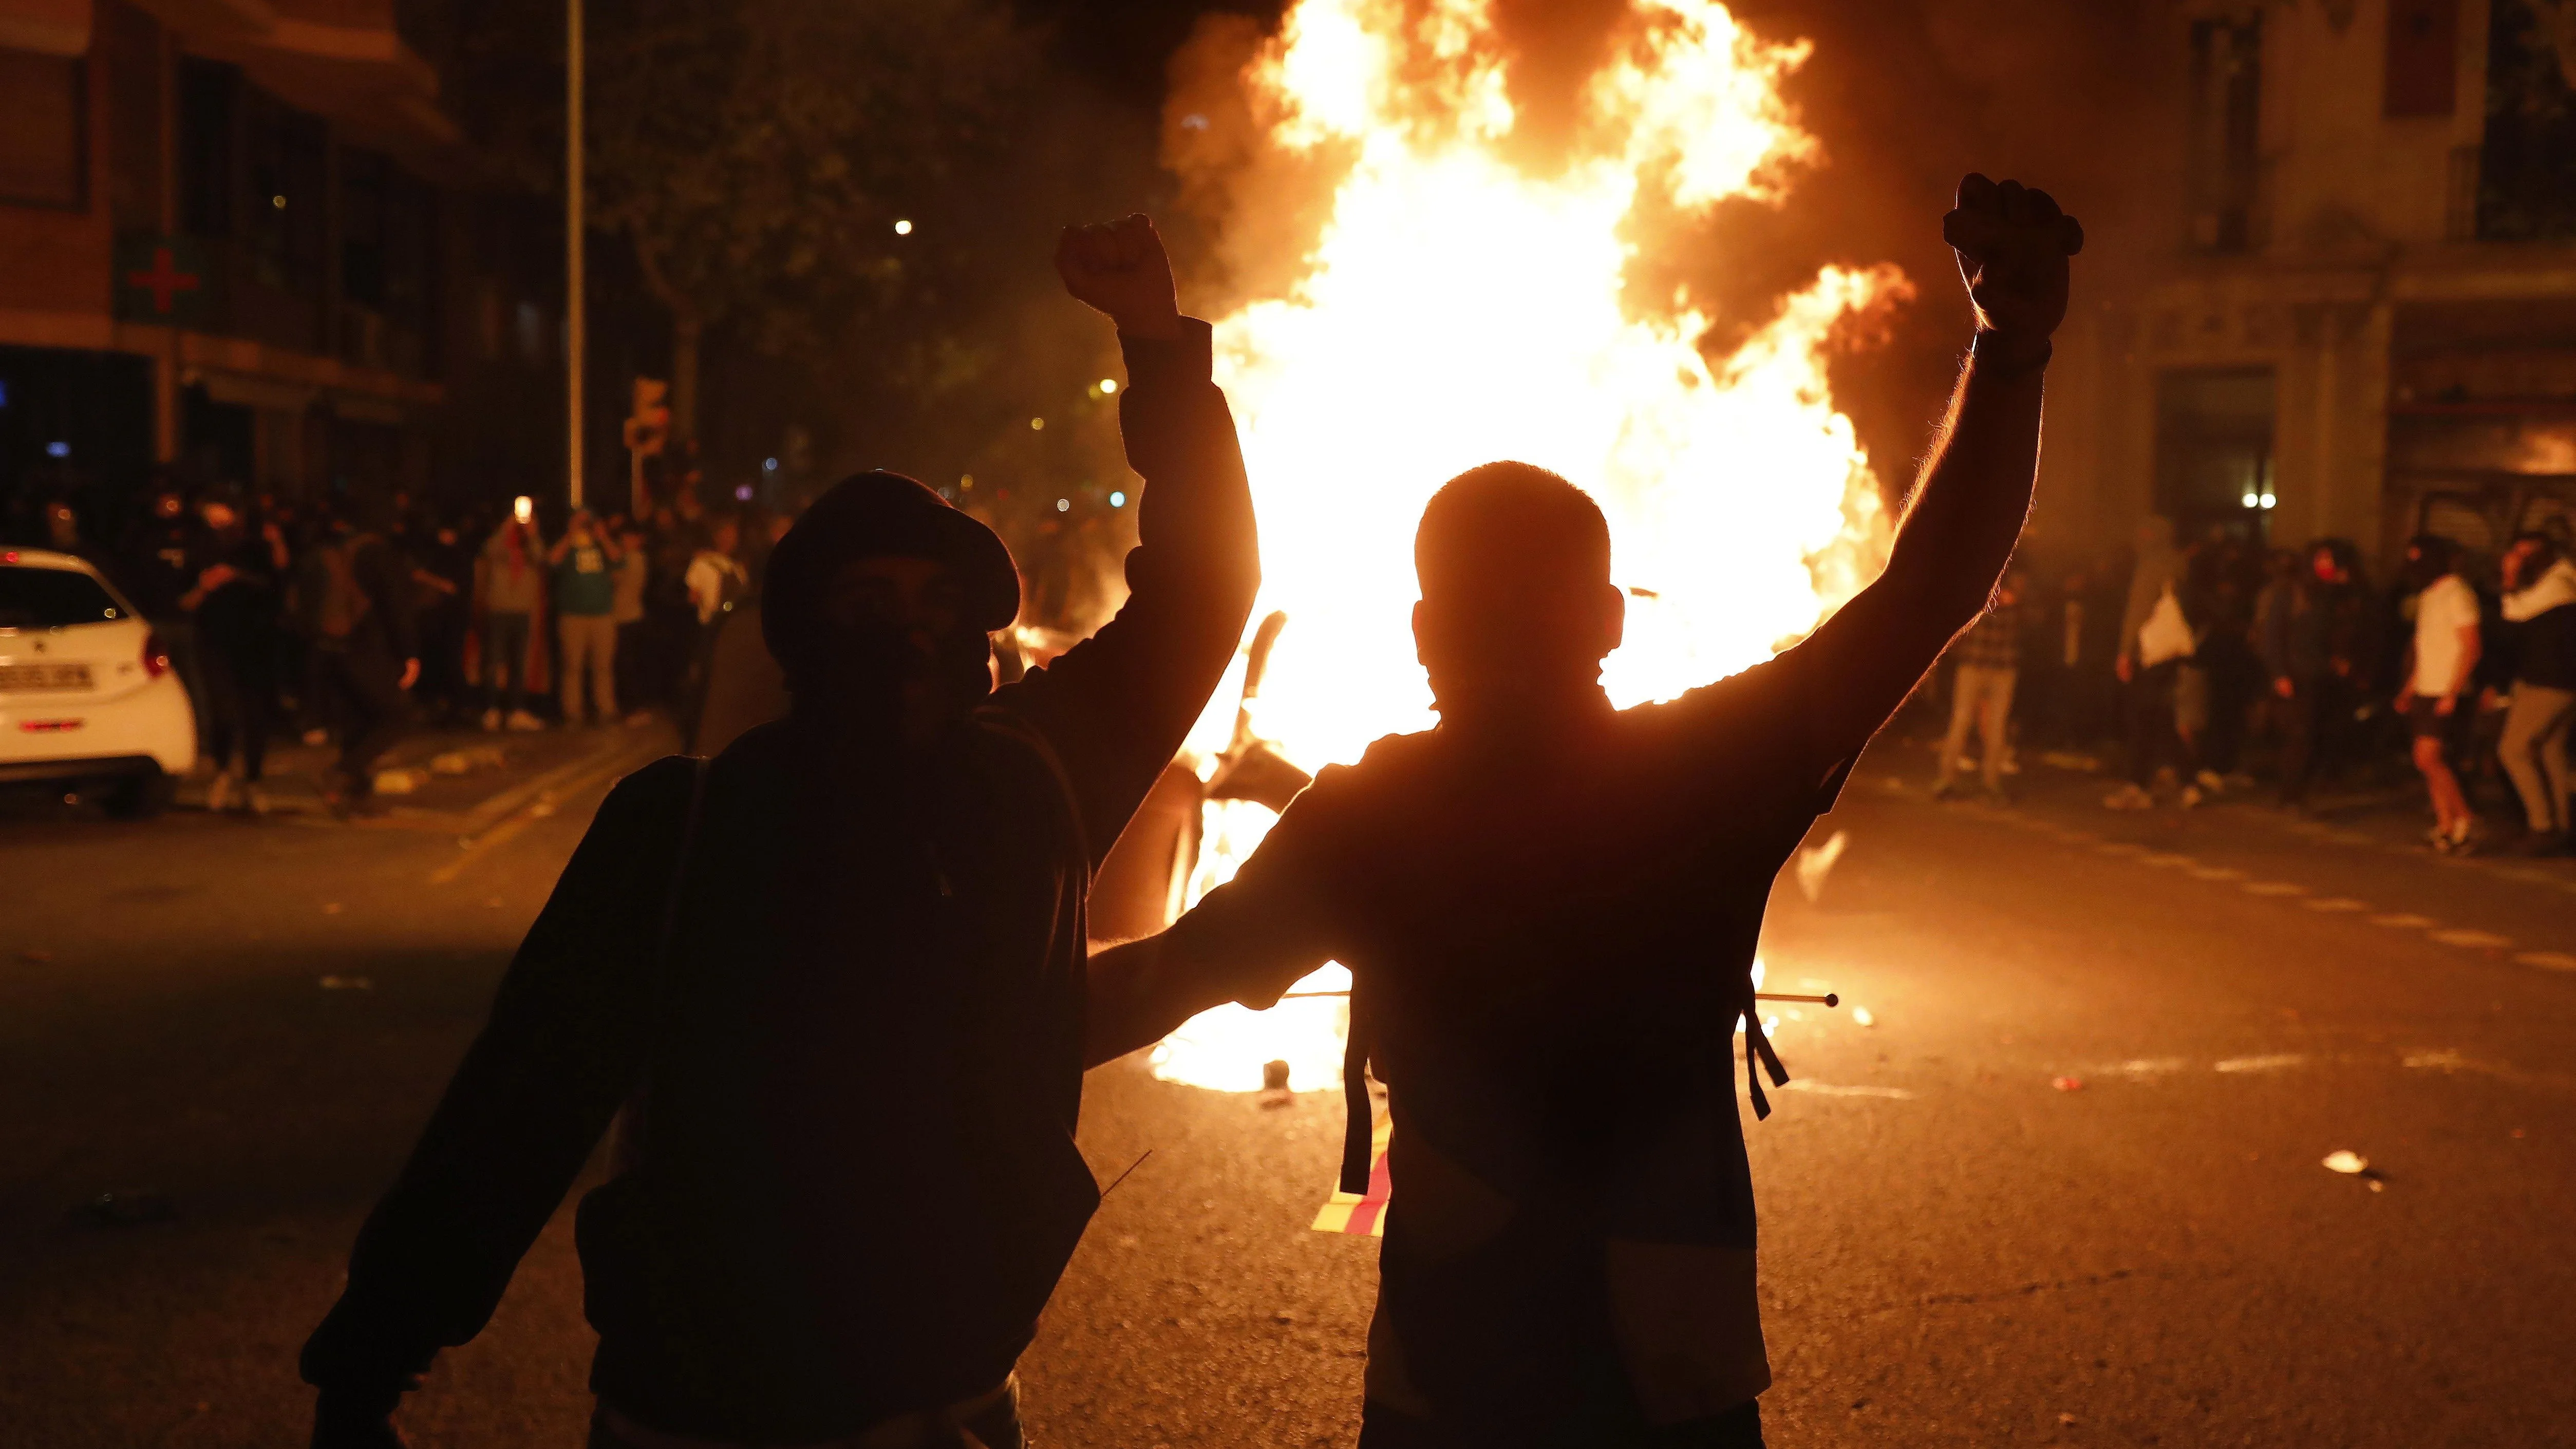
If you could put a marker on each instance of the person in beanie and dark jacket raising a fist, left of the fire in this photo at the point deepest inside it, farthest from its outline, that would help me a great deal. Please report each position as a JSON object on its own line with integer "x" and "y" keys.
{"x": 833, "y": 979}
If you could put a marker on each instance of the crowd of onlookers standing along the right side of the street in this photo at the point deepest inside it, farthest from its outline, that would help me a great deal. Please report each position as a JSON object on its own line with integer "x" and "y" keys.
{"x": 2237, "y": 668}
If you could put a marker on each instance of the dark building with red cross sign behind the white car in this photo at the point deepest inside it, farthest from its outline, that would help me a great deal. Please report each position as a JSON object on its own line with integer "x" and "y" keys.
{"x": 246, "y": 243}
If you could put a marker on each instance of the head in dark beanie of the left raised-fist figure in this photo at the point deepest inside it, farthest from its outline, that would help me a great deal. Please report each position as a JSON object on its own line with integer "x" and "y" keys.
{"x": 880, "y": 606}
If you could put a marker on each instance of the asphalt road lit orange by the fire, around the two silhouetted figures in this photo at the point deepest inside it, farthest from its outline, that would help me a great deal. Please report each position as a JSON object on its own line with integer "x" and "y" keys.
{"x": 2065, "y": 1190}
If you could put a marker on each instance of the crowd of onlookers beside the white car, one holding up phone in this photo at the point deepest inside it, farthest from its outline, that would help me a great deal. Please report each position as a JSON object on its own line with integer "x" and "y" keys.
{"x": 365, "y": 616}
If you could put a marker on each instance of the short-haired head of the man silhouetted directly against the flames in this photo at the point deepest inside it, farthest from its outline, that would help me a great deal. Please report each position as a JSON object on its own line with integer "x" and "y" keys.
{"x": 1519, "y": 609}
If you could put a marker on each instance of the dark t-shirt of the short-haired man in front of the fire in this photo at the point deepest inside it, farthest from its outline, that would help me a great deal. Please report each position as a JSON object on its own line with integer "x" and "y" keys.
{"x": 1549, "y": 951}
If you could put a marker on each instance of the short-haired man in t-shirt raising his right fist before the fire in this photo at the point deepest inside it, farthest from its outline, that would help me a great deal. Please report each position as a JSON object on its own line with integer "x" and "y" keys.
{"x": 1549, "y": 912}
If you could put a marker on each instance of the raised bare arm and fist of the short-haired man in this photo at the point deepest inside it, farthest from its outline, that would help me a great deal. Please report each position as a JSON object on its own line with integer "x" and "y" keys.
{"x": 1967, "y": 513}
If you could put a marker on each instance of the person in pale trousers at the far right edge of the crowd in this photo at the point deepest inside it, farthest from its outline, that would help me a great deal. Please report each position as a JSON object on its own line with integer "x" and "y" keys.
{"x": 2541, "y": 619}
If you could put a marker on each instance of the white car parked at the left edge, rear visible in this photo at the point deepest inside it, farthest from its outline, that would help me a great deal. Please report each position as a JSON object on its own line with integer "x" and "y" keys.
{"x": 89, "y": 699}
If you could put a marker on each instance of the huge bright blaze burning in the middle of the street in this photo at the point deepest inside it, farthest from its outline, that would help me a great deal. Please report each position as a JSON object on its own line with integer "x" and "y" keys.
{"x": 1462, "y": 310}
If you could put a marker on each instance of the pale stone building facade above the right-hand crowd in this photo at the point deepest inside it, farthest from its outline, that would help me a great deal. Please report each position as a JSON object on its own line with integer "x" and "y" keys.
{"x": 2366, "y": 313}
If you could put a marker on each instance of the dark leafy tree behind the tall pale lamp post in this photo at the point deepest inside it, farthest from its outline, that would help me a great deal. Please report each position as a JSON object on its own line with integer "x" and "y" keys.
{"x": 756, "y": 156}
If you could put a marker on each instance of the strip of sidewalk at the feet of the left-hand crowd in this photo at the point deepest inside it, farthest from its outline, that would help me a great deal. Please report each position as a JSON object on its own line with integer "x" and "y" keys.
{"x": 450, "y": 779}
